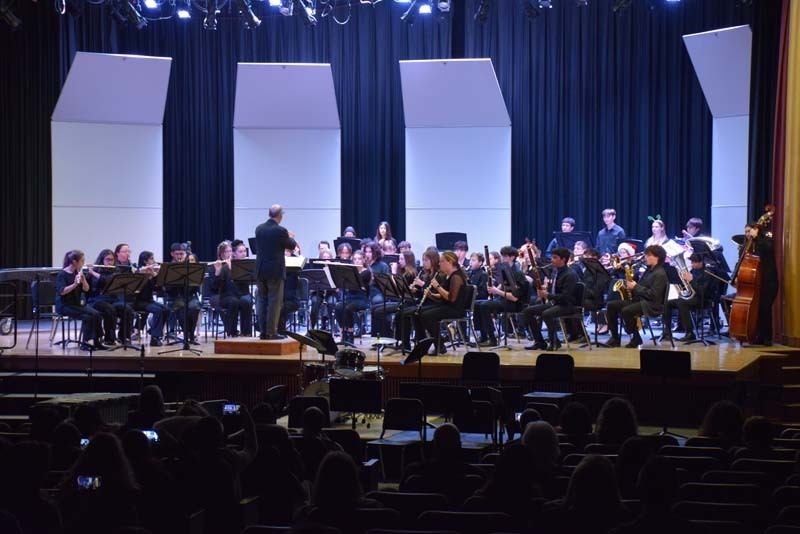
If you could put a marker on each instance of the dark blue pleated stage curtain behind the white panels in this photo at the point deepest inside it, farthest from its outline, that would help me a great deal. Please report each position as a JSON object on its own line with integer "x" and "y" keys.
{"x": 605, "y": 110}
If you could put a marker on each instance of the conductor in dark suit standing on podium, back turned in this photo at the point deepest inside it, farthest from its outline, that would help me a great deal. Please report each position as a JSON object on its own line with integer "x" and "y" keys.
{"x": 272, "y": 240}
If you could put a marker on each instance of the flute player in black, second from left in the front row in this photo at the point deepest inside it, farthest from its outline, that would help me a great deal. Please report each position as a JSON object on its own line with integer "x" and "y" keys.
{"x": 113, "y": 307}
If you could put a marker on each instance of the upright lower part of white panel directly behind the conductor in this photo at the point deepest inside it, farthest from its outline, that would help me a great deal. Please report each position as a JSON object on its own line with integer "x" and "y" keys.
{"x": 297, "y": 168}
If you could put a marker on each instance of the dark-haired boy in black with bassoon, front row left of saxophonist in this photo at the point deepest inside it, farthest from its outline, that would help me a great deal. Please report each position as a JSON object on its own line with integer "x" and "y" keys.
{"x": 558, "y": 301}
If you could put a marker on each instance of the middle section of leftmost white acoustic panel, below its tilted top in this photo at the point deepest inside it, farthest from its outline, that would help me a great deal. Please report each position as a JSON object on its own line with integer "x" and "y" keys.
{"x": 107, "y": 165}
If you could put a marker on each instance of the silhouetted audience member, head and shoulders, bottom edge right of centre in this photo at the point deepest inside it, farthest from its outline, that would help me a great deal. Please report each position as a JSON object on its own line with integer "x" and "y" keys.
{"x": 592, "y": 503}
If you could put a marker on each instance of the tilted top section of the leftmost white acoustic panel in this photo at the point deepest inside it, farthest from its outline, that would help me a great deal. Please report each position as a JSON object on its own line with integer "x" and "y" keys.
{"x": 111, "y": 88}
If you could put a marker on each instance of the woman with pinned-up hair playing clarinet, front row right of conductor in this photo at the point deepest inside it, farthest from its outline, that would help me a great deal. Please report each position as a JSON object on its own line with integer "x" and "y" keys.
{"x": 447, "y": 296}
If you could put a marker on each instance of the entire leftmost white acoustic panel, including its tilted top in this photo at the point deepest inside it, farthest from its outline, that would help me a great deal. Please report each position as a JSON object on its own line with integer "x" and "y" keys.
{"x": 107, "y": 155}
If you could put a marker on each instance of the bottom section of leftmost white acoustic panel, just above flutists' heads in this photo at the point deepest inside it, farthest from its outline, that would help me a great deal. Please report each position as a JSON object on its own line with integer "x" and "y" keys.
{"x": 95, "y": 228}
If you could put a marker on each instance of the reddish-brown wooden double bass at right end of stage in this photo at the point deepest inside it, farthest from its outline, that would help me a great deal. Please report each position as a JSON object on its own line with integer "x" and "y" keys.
{"x": 747, "y": 279}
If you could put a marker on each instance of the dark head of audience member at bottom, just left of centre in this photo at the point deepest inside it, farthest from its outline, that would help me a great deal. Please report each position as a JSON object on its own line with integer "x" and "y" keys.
{"x": 337, "y": 486}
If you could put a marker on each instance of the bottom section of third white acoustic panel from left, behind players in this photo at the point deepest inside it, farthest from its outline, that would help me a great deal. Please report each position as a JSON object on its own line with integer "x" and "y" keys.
{"x": 483, "y": 226}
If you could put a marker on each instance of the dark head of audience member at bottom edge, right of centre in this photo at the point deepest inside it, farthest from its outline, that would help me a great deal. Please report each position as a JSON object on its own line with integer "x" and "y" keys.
{"x": 593, "y": 485}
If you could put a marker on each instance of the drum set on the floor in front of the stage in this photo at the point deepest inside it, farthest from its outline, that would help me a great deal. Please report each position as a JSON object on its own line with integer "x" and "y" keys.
{"x": 348, "y": 364}
